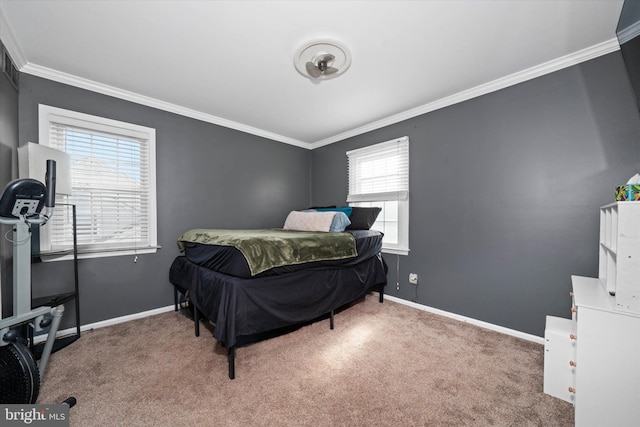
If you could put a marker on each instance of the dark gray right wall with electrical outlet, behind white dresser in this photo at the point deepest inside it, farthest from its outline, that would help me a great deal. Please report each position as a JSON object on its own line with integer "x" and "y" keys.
{"x": 505, "y": 190}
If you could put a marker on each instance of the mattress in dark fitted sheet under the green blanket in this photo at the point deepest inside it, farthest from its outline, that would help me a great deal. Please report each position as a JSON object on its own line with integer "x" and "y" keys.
{"x": 230, "y": 261}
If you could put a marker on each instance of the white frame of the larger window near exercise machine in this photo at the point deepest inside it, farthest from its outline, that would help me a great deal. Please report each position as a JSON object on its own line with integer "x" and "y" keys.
{"x": 48, "y": 115}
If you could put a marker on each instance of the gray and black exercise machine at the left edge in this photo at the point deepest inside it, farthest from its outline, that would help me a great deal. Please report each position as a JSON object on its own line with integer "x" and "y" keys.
{"x": 21, "y": 206}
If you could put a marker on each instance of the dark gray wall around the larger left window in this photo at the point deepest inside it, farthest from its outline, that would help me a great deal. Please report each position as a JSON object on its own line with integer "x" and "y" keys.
{"x": 207, "y": 177}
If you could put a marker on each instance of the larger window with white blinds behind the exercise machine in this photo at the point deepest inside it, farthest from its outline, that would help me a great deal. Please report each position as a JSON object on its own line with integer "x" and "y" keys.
{"x": 112, "y": 180}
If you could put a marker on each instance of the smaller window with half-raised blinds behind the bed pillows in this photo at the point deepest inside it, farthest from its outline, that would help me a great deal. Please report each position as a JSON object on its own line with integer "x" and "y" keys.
{"x": 379, "y": 176}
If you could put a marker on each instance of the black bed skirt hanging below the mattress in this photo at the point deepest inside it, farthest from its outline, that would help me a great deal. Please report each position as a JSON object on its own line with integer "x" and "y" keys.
{"x": 243, "y": 307}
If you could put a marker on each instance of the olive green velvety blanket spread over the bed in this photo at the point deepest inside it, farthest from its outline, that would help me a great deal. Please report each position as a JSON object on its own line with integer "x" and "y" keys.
{"x": 265, "y": 249}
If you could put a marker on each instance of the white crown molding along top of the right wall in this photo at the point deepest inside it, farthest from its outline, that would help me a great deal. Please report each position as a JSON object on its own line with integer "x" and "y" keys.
{"x": 483, "y": 89}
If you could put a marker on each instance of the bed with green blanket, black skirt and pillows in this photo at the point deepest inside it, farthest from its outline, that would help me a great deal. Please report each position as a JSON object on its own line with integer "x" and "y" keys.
{"x": 249, "y": 283}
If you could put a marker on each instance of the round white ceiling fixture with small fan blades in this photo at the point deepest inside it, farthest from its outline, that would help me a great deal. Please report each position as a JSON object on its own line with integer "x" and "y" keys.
{"x": 322, "y": 59}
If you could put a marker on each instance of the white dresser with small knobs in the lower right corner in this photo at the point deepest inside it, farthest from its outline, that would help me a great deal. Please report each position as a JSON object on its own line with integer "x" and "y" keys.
{"x": 593, "y": 359}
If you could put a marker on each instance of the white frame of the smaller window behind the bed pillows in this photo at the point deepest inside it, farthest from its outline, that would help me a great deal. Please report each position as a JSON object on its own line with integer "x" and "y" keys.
{"x": 399, "y": 193}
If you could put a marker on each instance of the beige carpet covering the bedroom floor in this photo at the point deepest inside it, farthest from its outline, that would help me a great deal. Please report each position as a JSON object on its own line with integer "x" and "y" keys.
{"x": 383, "y": 365}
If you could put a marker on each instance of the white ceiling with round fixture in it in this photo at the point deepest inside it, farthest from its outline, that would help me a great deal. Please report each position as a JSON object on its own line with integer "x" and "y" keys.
{"x": 231, "y": 62}
